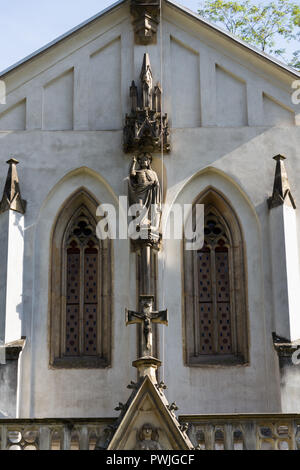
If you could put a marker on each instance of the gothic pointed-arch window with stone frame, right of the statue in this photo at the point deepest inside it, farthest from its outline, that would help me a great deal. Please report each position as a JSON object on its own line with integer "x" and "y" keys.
{"x": 215, "y": 293}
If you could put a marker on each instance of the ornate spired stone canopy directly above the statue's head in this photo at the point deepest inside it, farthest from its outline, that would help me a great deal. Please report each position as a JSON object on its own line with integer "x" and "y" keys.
{"x": 146, "y": 129}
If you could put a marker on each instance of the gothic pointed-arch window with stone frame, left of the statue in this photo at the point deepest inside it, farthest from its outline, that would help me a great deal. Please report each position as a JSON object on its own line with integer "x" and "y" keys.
{"x": 80, "y": 316}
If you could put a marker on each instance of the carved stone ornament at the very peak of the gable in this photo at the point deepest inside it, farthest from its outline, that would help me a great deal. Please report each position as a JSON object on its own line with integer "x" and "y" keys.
{"x": 145, "y": 15}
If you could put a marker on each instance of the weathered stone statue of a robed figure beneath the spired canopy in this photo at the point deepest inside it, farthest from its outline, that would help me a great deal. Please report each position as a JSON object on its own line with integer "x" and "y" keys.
{"x": 144, "y": 190}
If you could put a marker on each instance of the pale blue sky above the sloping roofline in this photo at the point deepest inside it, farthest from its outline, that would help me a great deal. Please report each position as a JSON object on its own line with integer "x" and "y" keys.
{"x": 27, "y": 25}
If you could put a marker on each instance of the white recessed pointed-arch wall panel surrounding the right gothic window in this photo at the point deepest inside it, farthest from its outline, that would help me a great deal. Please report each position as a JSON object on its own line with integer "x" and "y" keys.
{"x": 238, "y": 386}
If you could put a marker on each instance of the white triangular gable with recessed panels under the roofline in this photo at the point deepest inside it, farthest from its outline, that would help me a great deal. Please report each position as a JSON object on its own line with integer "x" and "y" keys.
{"x": 81, "y": 80}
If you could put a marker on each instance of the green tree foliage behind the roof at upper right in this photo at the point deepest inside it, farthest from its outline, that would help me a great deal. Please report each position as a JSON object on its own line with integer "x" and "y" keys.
{"x": 258, "y": 24}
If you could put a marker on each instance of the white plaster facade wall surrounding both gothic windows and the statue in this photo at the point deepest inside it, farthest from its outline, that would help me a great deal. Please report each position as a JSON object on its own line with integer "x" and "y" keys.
{"x": 56, "y": 163}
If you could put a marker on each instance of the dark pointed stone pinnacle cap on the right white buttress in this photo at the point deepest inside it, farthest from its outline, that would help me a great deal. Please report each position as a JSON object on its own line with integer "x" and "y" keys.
{"x": 281, "y": 189}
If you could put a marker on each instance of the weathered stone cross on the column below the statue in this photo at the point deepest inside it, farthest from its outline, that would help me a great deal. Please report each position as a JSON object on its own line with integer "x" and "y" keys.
{"x": 147, "y": 316}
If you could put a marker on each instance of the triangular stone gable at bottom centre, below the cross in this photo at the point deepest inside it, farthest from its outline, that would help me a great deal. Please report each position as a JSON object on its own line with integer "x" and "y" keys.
{"x": 148, "y": 424}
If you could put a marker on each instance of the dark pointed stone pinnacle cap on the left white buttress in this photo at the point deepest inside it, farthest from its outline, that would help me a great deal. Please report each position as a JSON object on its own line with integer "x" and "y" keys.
{"x": 11, "y": 199}
